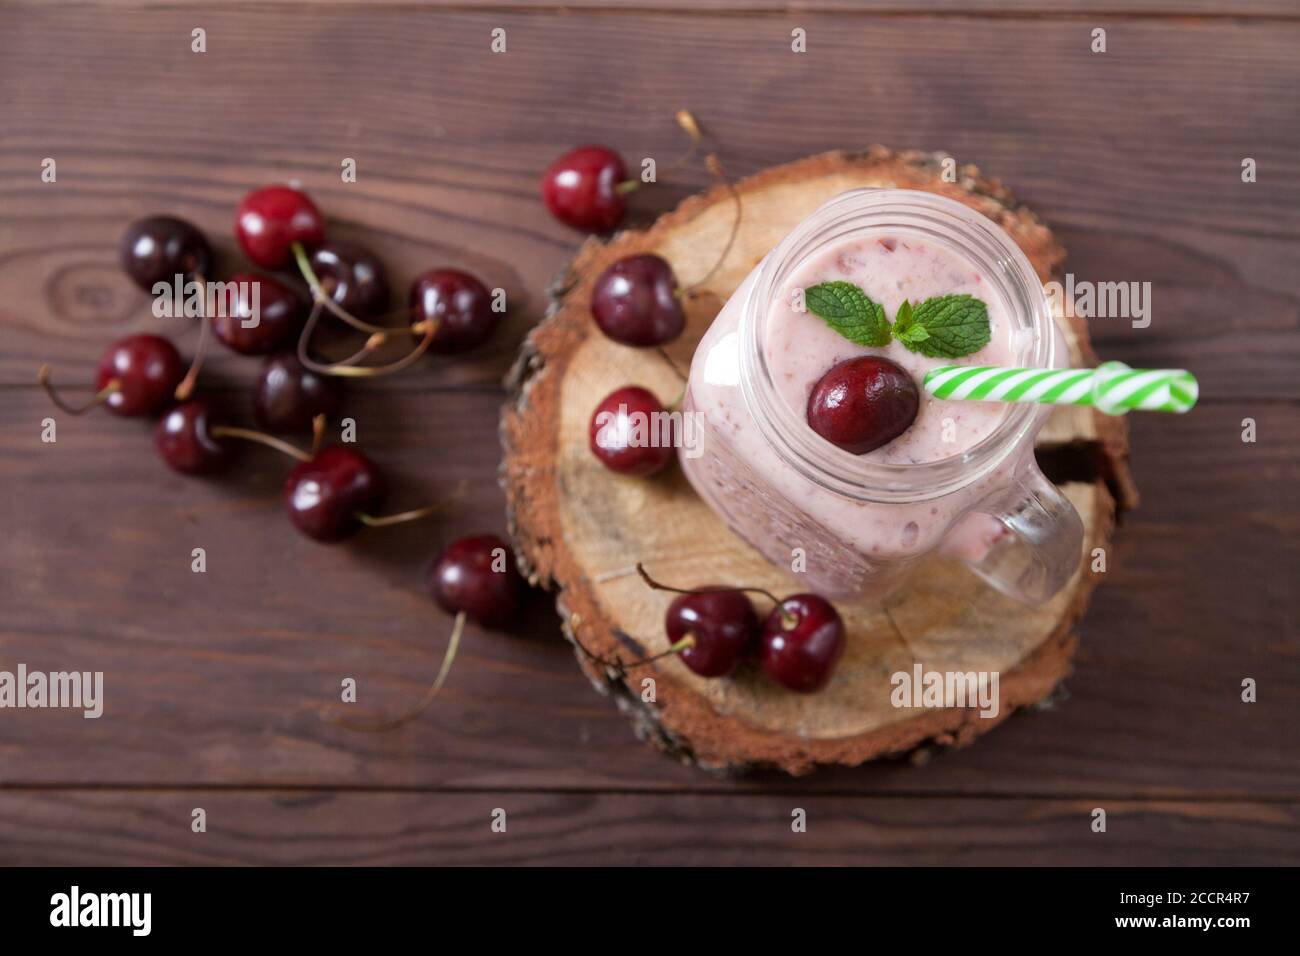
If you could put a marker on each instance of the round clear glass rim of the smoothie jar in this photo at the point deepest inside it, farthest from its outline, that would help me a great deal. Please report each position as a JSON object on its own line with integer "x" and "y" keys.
{"x": 976, "y": 237}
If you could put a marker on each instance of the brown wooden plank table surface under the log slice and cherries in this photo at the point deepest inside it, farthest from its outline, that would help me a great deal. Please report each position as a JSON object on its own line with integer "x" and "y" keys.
{"x": 213, "y": 681}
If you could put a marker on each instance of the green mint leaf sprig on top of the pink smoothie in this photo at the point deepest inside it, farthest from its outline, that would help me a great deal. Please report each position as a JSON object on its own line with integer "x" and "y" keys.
{"x": 943, "y": 327}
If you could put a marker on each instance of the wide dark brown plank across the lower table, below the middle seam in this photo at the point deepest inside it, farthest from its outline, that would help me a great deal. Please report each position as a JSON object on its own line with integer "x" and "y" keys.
{"x": 215, "y": 680}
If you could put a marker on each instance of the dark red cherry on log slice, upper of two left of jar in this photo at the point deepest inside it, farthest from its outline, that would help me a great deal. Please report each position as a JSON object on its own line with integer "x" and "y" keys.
{"x": 635, "y": 302}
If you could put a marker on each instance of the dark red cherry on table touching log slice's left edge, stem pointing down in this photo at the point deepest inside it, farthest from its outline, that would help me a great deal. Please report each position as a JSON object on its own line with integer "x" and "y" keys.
{"x": 478, "y": 576}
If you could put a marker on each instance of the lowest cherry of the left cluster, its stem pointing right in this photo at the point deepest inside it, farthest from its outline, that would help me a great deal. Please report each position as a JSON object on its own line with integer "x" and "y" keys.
{"x": 326, "y": 495}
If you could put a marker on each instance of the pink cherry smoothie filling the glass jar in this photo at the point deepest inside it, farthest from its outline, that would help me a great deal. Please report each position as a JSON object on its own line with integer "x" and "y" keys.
{"x": 852, "y": 547}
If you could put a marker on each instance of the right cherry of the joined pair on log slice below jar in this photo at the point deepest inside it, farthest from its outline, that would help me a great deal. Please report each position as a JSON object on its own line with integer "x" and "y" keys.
{"x": 801, "y": 643}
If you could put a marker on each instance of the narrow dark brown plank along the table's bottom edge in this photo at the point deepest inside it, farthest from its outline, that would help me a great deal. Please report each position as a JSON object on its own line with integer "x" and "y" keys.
{"x": 288, "y": 828}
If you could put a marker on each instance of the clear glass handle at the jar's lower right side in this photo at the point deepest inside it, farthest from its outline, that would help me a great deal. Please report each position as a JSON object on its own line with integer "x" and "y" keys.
{"x": 1043, "y": 550}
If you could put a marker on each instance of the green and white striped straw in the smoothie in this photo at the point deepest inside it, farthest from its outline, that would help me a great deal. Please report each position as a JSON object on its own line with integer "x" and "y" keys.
{"x": 1112, "y": 388}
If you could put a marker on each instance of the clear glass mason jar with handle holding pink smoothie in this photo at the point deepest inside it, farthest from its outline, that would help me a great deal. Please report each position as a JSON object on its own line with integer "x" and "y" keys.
{"x": 859, "y": 526}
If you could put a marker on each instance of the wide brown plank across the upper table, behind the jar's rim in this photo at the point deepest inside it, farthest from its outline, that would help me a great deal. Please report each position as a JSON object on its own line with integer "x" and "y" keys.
{"x": 1134, "y": 155}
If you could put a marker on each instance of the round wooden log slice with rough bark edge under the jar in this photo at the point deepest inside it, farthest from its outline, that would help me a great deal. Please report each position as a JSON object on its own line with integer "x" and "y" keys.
{"x": 580, "y": 529}
